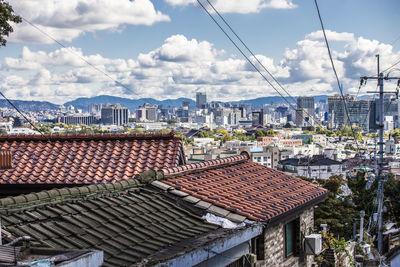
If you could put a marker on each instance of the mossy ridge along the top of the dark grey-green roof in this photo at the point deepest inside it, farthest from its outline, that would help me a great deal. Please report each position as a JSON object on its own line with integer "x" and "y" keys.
{"x": 10, "y": 204}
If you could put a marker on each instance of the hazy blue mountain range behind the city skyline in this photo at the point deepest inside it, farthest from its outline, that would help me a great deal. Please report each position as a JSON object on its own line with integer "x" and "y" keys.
{"x": 133, "y": 104}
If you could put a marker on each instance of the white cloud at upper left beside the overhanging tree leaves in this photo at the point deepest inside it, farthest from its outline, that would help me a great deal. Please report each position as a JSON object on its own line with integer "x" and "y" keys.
{"x": 66, "y": 20}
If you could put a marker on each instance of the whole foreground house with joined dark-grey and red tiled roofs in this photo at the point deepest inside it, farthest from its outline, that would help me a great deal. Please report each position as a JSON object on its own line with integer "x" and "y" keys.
{"x": 169, "y": 217}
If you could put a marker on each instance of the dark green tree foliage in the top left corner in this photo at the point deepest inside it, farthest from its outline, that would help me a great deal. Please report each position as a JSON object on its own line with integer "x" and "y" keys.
{"x": 7, "y": 15}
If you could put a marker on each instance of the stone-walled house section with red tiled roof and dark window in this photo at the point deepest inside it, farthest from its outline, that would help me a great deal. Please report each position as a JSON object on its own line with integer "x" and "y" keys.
{"x": 283, "y": 203}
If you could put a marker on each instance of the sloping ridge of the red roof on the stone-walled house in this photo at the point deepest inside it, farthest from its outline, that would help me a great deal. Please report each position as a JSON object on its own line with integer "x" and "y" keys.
{"x": 205, "y": 165}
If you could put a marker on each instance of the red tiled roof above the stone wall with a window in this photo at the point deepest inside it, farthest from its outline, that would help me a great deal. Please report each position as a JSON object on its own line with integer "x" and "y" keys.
{"x": 238, "y": 185}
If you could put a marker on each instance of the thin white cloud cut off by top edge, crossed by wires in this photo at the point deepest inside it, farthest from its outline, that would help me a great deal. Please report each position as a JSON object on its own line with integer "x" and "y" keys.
{"x": 238, "y": 6}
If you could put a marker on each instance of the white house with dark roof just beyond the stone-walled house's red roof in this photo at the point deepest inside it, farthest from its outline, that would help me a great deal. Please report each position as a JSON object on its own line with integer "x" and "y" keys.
{"x": 317, "y": 167}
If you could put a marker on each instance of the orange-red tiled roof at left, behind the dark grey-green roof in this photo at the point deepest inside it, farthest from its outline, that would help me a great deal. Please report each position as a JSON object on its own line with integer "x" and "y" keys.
{"x": 87, "y": 159}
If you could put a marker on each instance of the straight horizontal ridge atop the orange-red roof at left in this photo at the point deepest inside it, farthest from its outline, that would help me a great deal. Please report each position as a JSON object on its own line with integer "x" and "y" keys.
{"x": 107, "y": 136}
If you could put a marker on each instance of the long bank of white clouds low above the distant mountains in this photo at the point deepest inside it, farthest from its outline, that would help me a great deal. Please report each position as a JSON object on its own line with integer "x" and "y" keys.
{"x": 181, "y": 66}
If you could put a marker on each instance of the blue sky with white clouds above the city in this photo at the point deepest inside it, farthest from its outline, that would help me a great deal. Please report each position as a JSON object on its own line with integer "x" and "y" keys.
{"x": 163, "y": 49}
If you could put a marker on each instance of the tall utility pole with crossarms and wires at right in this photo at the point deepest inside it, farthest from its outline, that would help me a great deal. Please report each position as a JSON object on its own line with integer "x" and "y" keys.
{"x": 380, "y": 78}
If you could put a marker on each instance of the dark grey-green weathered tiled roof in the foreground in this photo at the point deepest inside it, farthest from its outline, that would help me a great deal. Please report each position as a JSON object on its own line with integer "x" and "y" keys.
{"x": 131, "y": 223}
